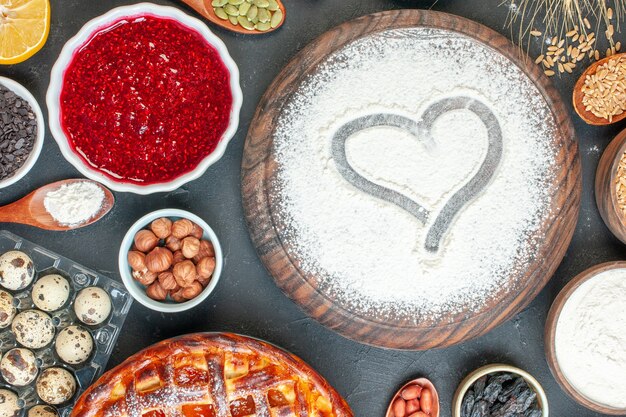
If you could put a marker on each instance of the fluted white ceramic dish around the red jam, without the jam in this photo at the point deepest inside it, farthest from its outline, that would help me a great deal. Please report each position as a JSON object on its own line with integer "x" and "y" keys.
{"x": 56, "y": 84}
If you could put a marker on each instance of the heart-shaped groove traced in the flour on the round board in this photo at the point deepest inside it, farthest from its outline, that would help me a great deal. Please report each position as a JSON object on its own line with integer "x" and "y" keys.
{"x": 422, "y": 131}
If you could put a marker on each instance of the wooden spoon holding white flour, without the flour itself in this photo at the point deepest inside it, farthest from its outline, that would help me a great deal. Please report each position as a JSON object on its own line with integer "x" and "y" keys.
{"x": 30, "y": 210}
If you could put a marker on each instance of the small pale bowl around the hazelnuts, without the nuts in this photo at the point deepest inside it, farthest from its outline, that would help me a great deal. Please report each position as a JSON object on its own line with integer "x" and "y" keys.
{"x": 138, "y": 291}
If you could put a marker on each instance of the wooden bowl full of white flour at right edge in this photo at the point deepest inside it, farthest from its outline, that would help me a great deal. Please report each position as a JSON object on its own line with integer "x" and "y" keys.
{"x": 586, "y": 338}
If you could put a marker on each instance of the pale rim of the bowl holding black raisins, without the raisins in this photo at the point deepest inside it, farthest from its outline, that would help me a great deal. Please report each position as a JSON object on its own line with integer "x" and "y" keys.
{"x": 469, "y": 380}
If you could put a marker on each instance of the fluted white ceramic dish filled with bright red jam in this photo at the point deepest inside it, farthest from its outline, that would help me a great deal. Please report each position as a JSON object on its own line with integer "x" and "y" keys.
{"x": 144, "y": 99}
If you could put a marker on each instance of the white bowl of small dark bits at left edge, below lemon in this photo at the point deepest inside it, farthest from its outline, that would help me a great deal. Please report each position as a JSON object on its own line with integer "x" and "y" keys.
{"x": 21, "y": 131}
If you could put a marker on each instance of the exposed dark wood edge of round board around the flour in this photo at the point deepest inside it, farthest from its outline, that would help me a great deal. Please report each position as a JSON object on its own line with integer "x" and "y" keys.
{"x": 371, "y": 24}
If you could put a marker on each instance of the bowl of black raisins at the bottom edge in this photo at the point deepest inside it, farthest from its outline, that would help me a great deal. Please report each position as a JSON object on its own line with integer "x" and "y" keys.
{"x": 499, "y": 390}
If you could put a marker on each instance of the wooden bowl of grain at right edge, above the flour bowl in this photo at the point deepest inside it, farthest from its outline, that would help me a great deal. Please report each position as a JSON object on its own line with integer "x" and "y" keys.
{"x": 610, "y": 186}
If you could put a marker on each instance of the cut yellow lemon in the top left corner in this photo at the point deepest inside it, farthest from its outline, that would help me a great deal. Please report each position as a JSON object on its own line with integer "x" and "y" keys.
{"x": 24, "y": 27}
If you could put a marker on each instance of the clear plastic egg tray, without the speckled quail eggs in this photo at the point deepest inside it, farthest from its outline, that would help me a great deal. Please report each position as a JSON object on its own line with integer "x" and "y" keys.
{"x": 104, "y": 335}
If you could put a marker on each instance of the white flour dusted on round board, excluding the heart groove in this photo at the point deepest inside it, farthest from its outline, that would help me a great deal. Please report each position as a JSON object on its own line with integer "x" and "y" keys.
{"x": 367, "y": 254}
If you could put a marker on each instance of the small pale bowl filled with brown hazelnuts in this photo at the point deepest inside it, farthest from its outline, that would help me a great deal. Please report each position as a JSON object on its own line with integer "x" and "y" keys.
{"x": 170, "y": 260}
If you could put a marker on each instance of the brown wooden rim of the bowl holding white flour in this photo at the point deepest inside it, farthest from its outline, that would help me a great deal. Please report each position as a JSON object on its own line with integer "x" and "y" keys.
{"x": 550, "y": 332}
